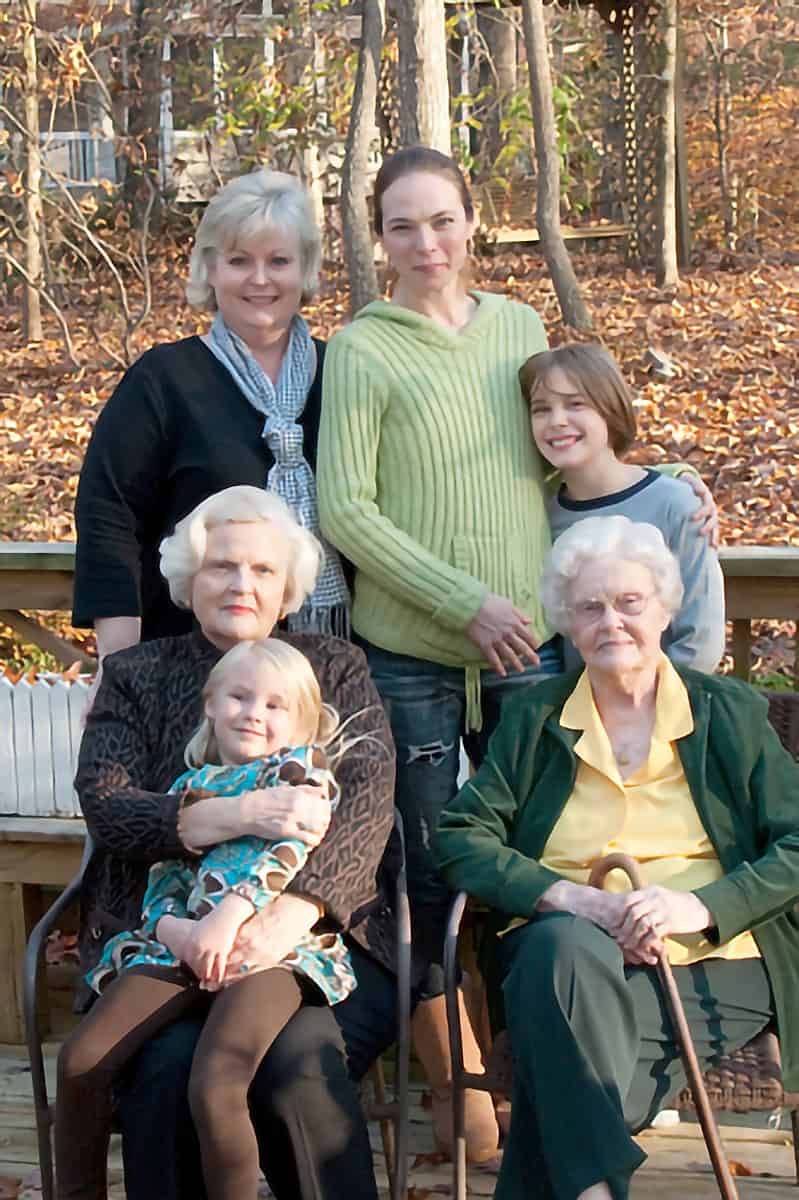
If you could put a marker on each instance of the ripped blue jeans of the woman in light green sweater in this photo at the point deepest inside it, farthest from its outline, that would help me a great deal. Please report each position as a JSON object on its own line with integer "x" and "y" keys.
{"x": 426, "y": 707}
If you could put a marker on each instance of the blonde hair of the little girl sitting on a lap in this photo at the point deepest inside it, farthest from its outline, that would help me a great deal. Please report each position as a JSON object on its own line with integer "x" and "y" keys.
{"x": 319, "y": 723}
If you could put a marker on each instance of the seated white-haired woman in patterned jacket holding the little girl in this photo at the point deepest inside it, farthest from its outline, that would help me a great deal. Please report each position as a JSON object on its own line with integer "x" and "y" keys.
{"x": 242, "y": 562}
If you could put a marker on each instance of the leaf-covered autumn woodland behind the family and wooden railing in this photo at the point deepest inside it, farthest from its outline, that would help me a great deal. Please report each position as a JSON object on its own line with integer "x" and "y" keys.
{"x": 713, "y": 357}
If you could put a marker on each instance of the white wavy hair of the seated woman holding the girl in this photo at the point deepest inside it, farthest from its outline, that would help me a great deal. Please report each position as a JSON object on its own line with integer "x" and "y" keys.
{"x": 184, "y": 551}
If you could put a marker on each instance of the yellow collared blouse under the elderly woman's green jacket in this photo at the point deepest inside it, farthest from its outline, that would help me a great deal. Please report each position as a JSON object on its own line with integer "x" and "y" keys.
{"x": 651, "y": 815}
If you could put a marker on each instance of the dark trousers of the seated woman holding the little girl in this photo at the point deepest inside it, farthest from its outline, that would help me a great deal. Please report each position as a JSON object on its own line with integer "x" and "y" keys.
{"x": 304, "y": 1101}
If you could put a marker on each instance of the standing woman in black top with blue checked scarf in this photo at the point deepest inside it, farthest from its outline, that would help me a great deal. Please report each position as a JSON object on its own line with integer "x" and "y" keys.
{"x": 238, "y": 405}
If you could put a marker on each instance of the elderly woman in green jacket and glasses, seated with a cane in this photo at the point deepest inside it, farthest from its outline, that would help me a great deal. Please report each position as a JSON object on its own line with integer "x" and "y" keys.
{"x": 683, "y": 772}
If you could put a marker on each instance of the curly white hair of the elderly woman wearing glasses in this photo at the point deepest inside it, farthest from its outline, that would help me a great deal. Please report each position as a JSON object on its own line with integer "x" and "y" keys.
{"x": 618, "y": 538}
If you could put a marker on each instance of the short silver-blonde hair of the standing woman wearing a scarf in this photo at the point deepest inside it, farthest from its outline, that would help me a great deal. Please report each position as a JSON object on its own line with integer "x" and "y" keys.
{"x": 247, "y": 208}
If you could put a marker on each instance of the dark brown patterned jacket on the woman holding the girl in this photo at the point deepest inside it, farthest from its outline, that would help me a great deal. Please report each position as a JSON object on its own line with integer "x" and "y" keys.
{"x": 133, "y": 751}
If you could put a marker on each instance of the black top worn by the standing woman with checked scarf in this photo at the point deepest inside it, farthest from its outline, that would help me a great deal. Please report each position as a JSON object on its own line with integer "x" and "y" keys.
{"x": 176, "y": 430}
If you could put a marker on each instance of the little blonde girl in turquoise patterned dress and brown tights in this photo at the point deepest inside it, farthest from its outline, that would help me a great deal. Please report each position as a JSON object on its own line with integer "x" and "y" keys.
{"x": 265, "y": 727}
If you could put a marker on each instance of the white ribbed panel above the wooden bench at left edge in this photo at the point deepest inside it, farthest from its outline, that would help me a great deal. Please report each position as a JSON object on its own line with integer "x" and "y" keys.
{"x": 40, "y": 736}
